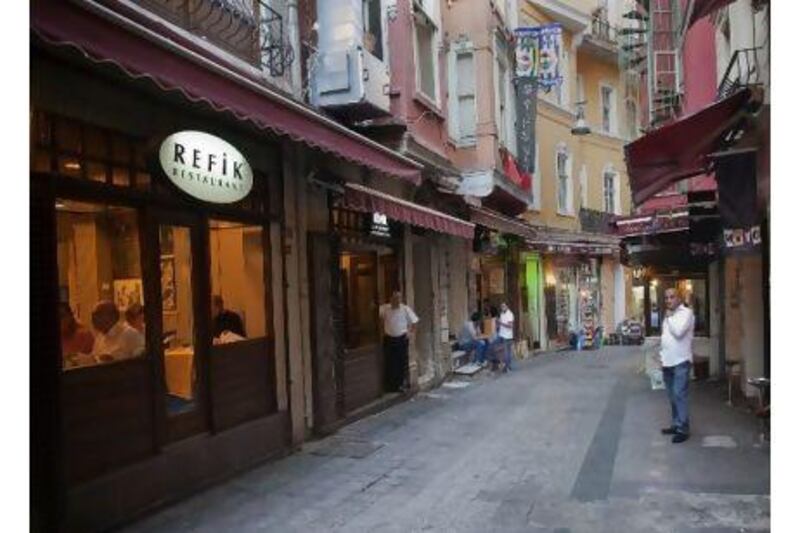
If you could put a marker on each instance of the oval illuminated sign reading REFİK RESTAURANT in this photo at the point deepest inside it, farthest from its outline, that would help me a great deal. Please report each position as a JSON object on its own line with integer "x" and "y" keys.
{"x": 206, "y": 167}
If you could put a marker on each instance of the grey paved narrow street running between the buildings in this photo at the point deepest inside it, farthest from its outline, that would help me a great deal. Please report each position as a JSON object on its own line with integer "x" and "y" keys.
{"x": 569, "y": 442}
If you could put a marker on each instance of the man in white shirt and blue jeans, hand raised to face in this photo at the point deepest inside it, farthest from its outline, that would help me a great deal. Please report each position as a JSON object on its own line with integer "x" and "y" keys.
{"x": 677, "y": 333}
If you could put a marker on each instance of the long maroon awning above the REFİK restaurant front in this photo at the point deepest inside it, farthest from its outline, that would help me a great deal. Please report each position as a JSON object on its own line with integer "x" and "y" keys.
{"x": 160, "y": 57}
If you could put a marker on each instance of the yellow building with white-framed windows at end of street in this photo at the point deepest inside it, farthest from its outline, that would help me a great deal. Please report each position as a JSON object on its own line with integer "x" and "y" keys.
{"x": 580, "y": 180}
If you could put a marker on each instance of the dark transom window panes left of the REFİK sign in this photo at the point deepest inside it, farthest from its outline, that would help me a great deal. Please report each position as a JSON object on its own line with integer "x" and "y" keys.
{"x": 82, "y": 151}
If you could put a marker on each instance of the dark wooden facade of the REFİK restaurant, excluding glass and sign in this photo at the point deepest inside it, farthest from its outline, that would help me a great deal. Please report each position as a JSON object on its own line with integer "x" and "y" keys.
{"x": 105, "y": 446}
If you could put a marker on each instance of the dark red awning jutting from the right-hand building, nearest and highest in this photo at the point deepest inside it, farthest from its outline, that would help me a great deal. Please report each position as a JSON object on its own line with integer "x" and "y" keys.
{"x": 677, "y": 150}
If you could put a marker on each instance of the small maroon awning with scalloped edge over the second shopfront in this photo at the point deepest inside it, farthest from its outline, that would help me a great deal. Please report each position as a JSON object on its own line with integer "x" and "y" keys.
{"x": 366, "y": 200}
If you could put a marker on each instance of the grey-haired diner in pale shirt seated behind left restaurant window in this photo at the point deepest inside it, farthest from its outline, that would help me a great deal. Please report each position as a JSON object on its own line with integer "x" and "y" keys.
{"x": 116, "y": 339}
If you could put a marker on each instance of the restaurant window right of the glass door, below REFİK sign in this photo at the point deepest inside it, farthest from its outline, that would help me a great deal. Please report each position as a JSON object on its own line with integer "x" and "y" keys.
{"x": 238, "y": 287}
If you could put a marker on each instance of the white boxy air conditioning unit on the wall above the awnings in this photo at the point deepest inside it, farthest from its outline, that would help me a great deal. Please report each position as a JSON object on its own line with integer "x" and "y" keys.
{"x": 350, "y": 82}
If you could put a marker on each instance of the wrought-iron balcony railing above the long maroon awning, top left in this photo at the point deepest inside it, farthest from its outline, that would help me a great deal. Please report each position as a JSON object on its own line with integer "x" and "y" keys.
{"x": 248, "y": 29}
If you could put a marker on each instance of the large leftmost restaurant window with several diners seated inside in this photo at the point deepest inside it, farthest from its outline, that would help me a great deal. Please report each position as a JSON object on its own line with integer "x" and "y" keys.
{"x": 100, "y": 284}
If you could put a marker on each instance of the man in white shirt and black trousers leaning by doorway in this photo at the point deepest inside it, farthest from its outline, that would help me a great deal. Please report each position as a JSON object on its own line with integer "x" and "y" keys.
{"x": 398, "y": 323}
